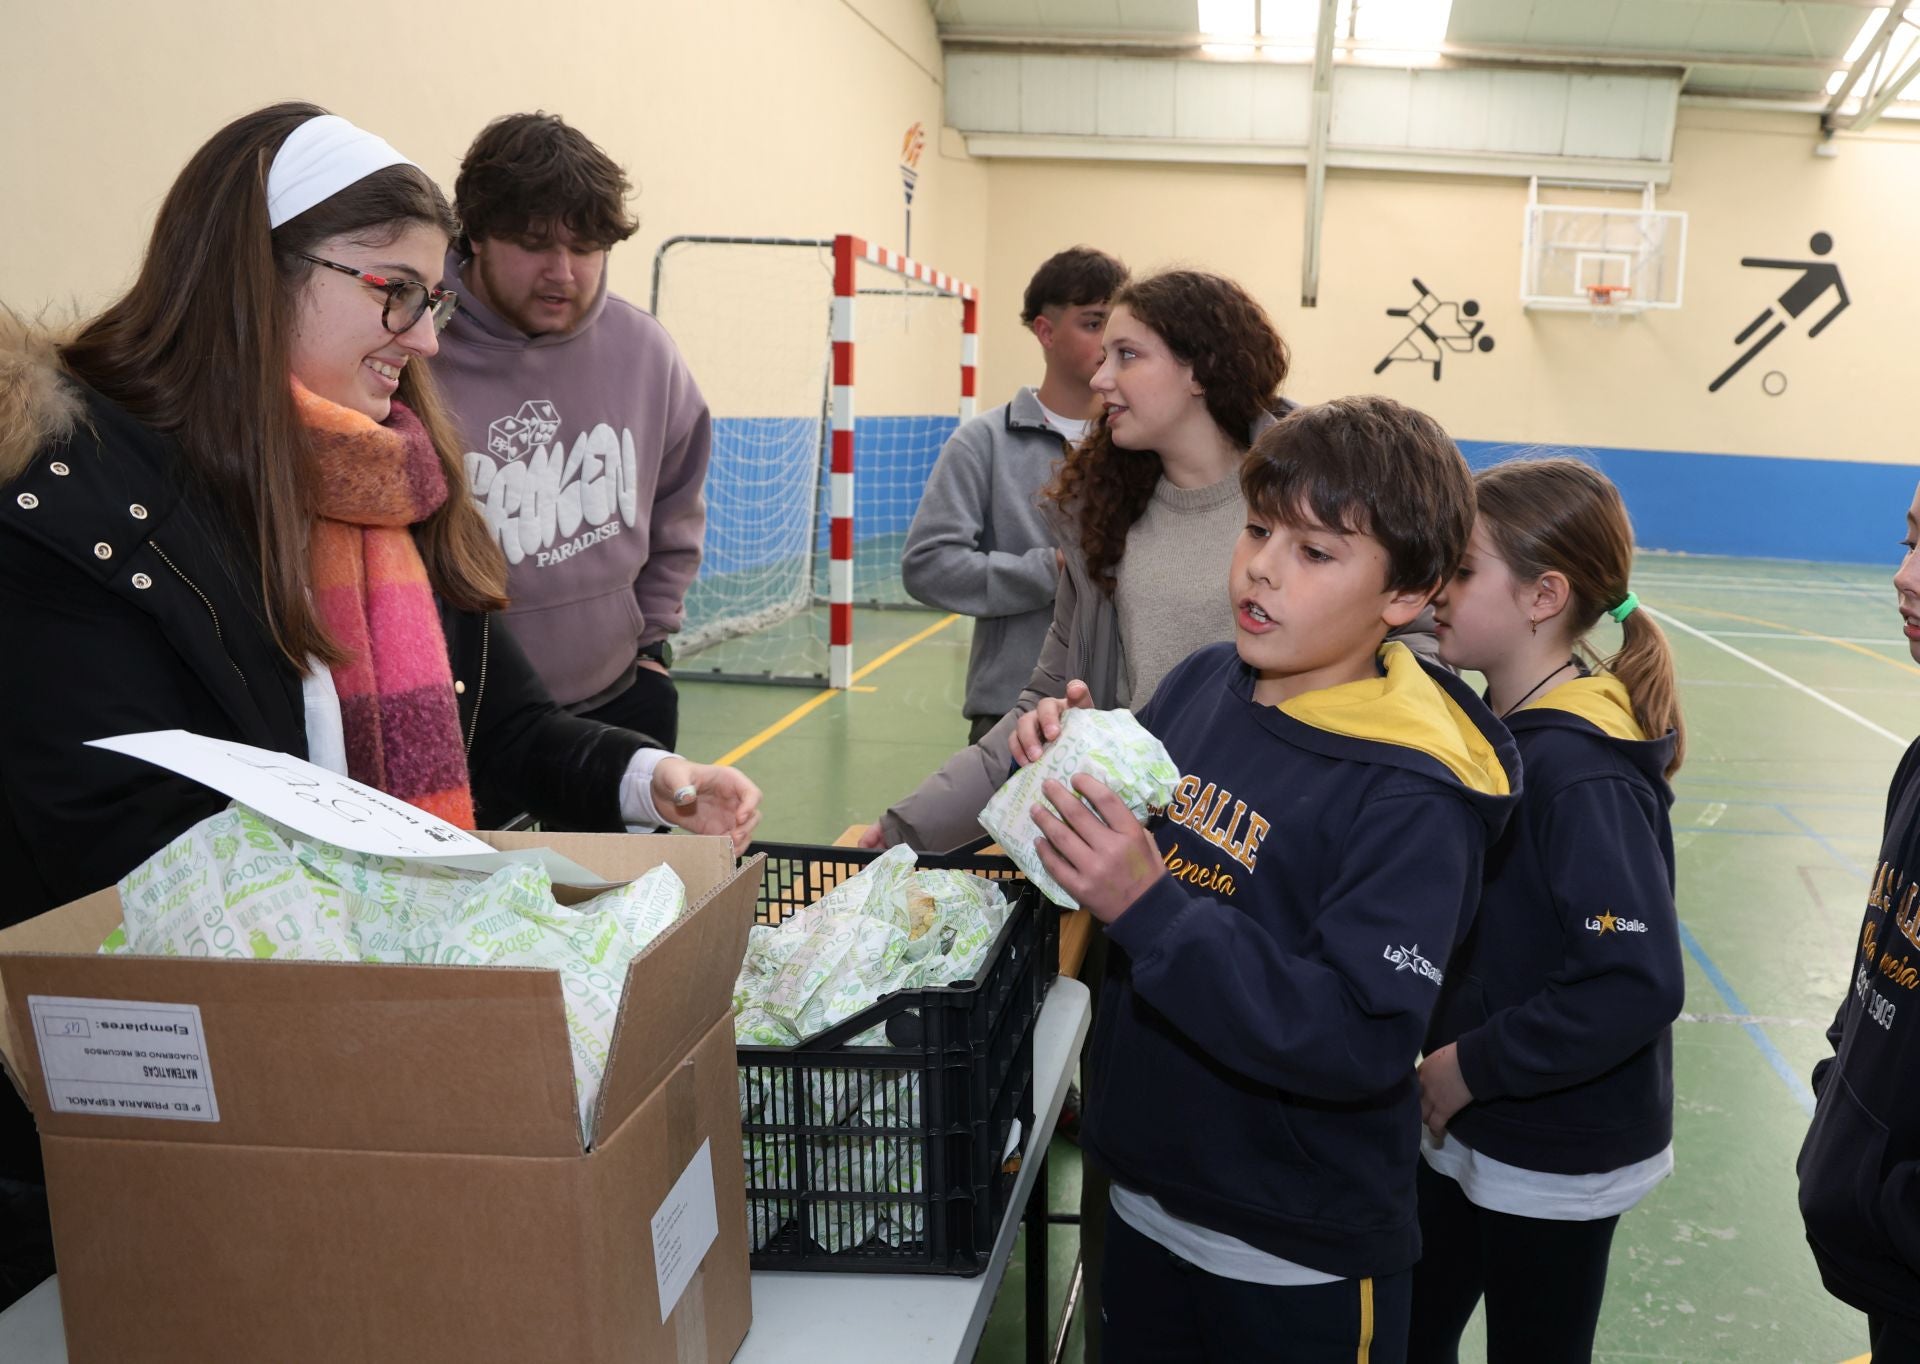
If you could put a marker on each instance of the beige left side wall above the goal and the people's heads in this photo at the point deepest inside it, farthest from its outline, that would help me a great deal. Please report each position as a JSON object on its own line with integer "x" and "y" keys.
{"x": 732, "y": 116}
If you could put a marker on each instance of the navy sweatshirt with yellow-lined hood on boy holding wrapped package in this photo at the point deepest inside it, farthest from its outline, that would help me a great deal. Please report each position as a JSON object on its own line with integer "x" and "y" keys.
{"x": 1262, "y": 1013}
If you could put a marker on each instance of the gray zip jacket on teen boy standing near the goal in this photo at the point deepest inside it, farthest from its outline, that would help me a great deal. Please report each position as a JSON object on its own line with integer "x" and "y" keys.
{"x": 982, "y": 547}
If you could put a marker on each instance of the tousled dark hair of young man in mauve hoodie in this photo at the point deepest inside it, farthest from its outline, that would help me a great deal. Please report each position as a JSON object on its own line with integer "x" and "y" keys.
{"x": 535, "y": 170}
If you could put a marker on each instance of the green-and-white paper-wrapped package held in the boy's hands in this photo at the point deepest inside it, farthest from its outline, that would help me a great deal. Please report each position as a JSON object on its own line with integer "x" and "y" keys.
{"x": 1109, "y": 746}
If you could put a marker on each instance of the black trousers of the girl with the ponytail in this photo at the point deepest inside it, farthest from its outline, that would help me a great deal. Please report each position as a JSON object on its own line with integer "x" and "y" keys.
{"x": 1543, "y": 1280}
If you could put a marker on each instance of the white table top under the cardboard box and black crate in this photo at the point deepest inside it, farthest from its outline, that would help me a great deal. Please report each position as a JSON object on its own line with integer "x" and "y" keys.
{"x": 804, "y": 1317}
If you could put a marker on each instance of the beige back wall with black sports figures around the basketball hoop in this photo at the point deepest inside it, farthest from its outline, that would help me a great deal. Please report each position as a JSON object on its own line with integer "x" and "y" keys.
{"x": 1748, "y": 182}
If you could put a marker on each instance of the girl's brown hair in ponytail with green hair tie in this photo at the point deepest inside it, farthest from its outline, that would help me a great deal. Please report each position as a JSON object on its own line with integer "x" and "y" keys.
{"x": 1562, "y": 516}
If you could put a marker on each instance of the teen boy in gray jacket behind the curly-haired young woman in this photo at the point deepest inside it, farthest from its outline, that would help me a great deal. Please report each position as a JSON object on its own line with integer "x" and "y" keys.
{"x": 980, "y": 543}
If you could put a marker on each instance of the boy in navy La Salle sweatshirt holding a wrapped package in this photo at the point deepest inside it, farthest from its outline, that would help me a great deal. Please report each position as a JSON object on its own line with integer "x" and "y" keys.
{"x": 1284, "y": 933}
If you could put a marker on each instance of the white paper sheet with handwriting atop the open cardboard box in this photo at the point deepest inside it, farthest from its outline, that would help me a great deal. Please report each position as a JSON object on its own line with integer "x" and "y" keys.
{"x": 331, "y": 808}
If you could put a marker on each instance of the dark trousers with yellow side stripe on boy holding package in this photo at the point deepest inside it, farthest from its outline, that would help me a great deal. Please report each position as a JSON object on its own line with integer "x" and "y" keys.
{"x": 1164, "y": 1311}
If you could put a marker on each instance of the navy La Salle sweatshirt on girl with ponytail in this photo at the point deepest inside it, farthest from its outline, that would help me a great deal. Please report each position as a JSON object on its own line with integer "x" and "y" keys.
{"x": 1564, "y": 994}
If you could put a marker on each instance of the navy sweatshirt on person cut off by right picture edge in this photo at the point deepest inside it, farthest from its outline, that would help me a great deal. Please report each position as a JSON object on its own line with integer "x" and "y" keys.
{"x": 1858, "y": 1171}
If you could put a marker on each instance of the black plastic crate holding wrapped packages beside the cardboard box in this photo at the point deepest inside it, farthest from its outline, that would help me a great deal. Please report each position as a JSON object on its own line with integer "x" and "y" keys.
{"x": 896, "y": 1159}
